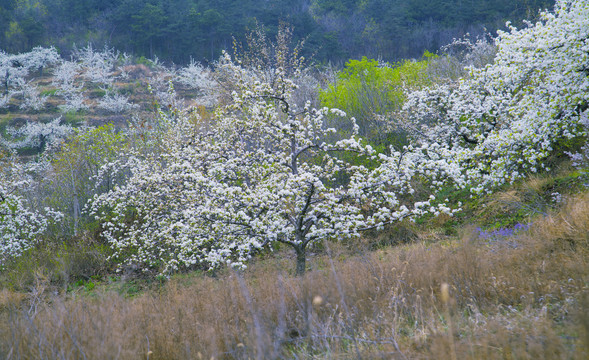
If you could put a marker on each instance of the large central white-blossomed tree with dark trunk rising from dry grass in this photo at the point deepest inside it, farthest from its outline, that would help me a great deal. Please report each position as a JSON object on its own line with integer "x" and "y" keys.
{"x": 265, "y": 172}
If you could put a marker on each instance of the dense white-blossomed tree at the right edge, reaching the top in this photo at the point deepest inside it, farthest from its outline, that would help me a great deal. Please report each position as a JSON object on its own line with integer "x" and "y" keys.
{"x": 501, "y": 121}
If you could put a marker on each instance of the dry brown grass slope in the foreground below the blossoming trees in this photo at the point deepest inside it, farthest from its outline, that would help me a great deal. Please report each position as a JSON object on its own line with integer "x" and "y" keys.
{"x": 528, "y": 301}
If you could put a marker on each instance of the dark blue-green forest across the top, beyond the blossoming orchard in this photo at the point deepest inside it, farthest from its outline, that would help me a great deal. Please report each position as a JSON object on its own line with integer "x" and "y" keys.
{"x": 176, "y": 30}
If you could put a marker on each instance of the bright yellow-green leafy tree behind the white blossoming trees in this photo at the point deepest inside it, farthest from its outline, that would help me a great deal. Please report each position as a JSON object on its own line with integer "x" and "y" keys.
{"x": 365, "y": 88}
